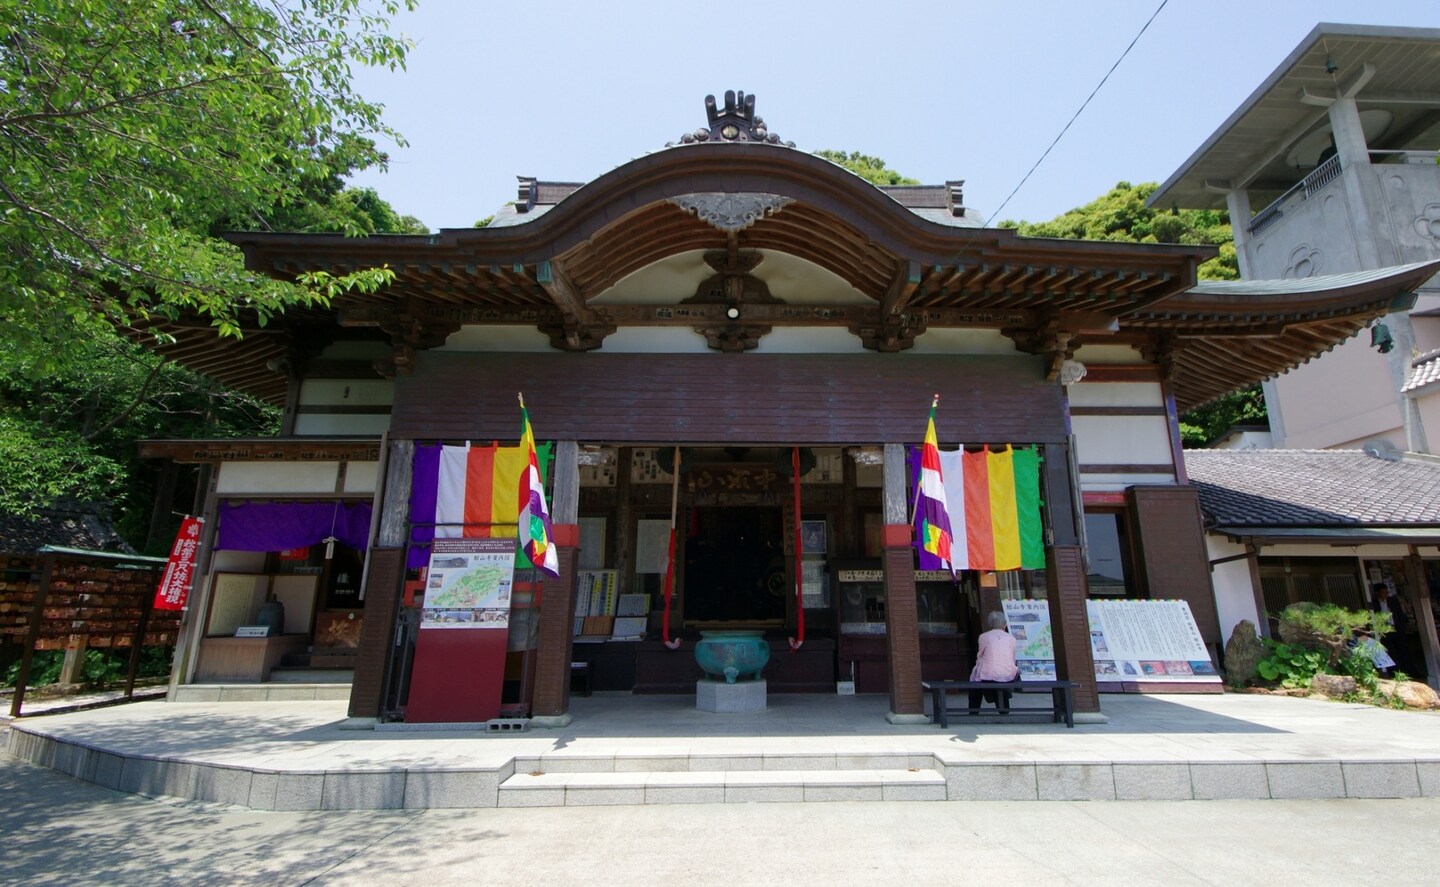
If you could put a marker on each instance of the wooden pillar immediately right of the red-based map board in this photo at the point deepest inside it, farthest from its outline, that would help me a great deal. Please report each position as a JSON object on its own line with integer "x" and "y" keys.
{"x": 554, "y": 653}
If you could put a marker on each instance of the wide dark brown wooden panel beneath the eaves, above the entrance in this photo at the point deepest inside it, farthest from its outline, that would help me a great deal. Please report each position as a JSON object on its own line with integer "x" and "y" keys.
{"x": 745, "y": 398}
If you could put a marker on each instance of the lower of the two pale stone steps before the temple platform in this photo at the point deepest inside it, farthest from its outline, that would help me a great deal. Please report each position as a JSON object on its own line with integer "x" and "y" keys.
{"x": 719, "y": 787}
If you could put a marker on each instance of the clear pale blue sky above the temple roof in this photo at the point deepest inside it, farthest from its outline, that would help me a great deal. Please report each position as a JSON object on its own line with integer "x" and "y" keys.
{"x": 964, "y": 90}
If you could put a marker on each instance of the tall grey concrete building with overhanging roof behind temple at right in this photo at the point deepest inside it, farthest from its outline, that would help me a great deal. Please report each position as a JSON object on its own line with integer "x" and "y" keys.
{"x": 1327, "y": 169}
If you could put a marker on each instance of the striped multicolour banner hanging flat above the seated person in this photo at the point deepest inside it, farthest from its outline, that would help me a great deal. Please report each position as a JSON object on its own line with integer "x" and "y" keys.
{"x": 994, "y": 509}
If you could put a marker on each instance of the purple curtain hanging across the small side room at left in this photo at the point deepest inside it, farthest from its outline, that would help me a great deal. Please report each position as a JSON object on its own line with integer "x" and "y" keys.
{"x": 247, "y": 526}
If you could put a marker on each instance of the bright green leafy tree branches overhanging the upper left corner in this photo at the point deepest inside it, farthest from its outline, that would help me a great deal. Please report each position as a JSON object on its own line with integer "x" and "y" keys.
{"x": 132, "y": 129}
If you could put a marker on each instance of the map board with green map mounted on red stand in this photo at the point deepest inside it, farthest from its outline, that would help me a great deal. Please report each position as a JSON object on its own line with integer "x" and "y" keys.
{"x": 469, "y": 584}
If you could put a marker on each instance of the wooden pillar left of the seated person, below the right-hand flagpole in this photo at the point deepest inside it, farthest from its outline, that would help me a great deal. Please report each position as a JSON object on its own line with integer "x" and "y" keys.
{"x": 902, "y": 608}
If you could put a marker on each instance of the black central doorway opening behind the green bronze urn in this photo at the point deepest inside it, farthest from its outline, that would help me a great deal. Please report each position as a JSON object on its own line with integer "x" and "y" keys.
{"x": 735, "y": 567}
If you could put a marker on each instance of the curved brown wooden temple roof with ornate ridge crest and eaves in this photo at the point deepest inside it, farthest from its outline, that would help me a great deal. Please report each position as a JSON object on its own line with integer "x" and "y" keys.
{"x": 915, "y": 254}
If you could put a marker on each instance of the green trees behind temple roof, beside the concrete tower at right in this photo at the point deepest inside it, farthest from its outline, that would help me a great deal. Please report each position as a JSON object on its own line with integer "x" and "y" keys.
{"x": 1121, "y": 215}
